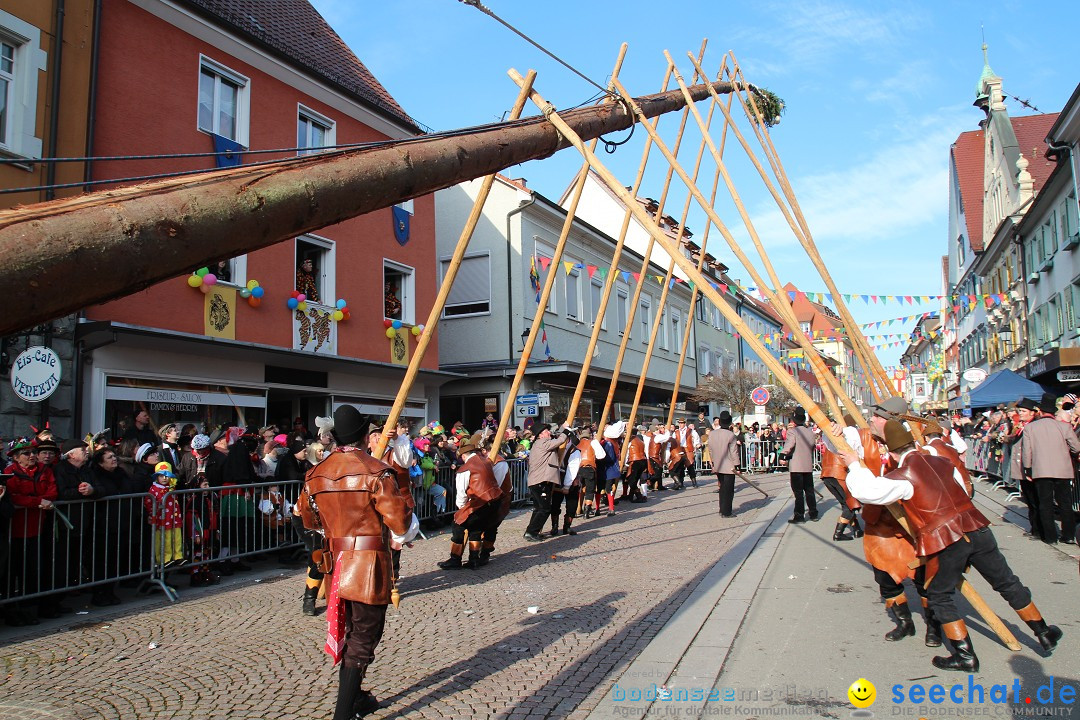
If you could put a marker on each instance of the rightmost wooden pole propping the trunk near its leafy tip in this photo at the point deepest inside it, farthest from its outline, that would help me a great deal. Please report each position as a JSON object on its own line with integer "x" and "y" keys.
{"x": 871, "y": 364}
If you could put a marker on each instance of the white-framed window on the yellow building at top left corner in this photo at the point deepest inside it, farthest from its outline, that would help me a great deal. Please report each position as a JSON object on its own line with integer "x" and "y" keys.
{"x": 22, "y": 62}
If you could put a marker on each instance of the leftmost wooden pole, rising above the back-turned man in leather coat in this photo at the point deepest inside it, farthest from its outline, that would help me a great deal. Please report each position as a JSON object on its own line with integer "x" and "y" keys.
{"x": 444, "y": 292}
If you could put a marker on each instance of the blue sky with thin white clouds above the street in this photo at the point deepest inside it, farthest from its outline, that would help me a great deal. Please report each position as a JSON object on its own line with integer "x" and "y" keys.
{"x": 875, "y": 97}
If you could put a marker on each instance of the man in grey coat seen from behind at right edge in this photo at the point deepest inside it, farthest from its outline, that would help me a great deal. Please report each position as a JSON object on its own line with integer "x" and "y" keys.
{"x": 1047, "y": 447}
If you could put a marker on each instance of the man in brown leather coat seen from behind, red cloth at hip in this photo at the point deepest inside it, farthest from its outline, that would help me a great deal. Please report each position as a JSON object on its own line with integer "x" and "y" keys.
{"x": 355, "y": 501}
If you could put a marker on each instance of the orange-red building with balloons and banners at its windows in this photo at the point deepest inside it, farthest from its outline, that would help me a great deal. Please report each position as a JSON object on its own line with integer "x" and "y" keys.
{"x": 197, "y": 77}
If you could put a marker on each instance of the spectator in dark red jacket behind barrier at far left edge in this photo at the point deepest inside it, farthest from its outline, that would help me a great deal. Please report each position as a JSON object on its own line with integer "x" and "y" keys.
{"x": 33, "y": 491}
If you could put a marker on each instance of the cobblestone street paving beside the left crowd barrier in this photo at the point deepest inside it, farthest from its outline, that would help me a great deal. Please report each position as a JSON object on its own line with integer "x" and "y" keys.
{"x": 463, "y": 644}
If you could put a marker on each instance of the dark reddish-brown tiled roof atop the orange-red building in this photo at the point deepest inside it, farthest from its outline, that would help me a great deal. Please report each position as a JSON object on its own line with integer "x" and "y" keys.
{"x": 295, "y": 31}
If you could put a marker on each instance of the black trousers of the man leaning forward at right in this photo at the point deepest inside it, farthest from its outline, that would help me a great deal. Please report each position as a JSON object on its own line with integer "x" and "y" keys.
{"x": 979, "y": 550}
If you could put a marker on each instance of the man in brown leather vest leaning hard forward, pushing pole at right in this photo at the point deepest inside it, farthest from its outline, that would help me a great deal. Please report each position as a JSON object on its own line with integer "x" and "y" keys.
{"x": 949, "y": 529}
